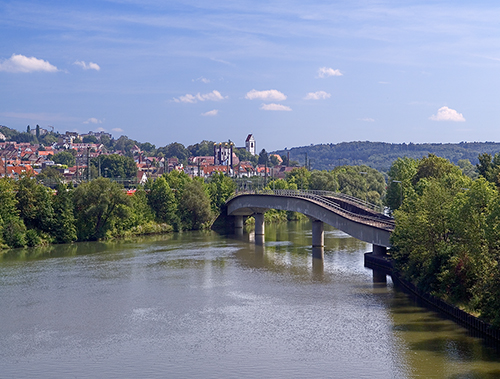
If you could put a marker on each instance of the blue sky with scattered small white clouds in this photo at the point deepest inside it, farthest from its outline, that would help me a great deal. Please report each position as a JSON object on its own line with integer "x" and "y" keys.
{"x": 292, "y": 73}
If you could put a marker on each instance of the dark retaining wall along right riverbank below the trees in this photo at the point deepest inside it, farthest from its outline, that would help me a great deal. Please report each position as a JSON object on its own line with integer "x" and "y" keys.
{"x": 384, "y": 264}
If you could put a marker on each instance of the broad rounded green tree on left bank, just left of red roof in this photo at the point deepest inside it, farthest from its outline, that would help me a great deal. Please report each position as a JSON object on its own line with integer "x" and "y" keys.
{"x": 99, "y": 205}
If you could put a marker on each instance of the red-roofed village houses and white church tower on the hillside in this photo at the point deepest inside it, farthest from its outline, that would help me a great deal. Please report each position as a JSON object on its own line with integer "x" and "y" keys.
{"x": 20, "y": 158}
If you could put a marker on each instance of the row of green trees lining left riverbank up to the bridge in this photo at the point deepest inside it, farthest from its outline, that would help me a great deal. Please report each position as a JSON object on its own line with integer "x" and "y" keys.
{"x": 33, "y": 214}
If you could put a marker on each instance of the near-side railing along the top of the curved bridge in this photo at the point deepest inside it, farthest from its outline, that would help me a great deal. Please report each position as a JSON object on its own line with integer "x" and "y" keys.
{"x": 369, "y": 220}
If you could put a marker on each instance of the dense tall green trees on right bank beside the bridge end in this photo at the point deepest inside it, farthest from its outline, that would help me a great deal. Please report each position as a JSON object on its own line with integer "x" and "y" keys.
{"x": 447, "y": 235}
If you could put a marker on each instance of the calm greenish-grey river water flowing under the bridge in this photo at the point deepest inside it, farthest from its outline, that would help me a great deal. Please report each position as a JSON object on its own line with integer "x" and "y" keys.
{"x": 199, "y": 305}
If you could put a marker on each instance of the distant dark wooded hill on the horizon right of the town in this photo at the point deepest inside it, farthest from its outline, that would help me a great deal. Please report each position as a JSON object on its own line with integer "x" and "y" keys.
{"x": 380, "y": 155}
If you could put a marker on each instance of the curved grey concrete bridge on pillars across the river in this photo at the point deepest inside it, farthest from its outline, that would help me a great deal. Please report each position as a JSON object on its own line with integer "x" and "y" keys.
{"x": 353, "y": 216}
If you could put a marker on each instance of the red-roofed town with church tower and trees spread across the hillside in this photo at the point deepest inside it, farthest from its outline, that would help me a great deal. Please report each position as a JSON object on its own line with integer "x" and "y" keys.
{"x": 70, "y": 156}
